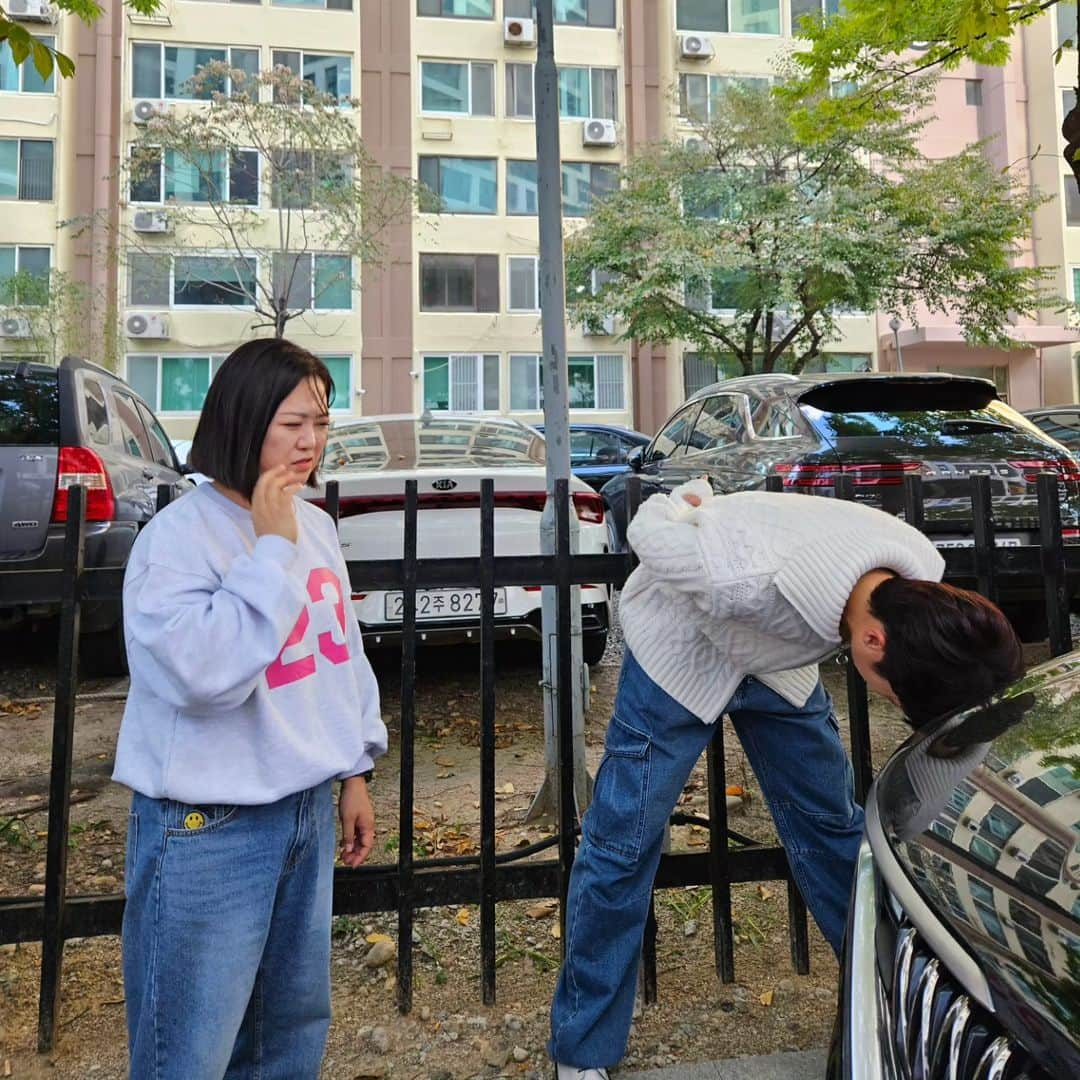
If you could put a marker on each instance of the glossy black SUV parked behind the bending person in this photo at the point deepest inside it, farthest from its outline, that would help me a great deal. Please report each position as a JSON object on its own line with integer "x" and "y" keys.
{"x": 874, "y": 429}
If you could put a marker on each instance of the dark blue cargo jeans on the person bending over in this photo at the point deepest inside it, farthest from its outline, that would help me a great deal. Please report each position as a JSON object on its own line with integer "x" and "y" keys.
{"x": 652, "y": 746}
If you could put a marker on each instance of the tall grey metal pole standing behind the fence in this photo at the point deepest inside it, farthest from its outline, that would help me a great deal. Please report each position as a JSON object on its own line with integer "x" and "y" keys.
{"x": 557, "y": 420}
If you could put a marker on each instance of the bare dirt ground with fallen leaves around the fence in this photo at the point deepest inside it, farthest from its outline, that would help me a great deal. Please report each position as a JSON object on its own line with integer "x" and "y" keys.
{"x": 450, "y": 1034}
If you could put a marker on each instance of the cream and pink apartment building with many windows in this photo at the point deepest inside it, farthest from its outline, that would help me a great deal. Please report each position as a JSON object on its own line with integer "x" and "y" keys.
{"x": 451, "y": 320}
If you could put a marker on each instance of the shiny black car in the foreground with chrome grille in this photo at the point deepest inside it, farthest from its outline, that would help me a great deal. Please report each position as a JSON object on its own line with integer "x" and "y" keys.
{"x": 963, "y": 955}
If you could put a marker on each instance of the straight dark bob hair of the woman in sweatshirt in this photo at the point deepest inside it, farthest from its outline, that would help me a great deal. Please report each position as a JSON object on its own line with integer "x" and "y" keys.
{"x": 244, "y": 397}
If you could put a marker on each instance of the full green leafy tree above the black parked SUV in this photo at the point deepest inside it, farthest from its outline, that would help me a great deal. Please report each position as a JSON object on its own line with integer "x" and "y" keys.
{"x": 751, "y": 244}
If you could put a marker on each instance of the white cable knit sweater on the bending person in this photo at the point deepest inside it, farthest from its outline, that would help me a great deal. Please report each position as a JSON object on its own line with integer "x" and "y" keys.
{"x": 752, "y": 584}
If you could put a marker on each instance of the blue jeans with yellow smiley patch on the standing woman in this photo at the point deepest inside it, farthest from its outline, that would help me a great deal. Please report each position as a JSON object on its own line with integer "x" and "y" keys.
{"x": 227, "y": 938}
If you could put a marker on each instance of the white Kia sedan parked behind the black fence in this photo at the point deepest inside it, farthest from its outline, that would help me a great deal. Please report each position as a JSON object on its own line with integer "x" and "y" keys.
{"x": 449, "y": 456}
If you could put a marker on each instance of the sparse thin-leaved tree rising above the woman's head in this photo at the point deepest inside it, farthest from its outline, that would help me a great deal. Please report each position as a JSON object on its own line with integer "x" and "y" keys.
{"x": 271, "y": 172}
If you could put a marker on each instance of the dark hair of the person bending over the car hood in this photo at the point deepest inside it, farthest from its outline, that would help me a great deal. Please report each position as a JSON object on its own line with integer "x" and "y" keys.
{"x": 946, "y": 649}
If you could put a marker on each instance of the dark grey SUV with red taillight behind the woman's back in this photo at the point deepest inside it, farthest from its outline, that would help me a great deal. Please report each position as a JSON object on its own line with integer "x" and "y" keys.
{"x": 77, "y": 424}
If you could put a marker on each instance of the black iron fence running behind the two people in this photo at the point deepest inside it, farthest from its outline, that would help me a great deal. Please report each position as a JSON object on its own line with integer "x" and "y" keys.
{"x": 1050, "y": 569}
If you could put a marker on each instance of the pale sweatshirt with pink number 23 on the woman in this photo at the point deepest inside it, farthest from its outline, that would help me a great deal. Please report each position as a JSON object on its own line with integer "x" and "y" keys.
{"x": 249, "y": 680}
